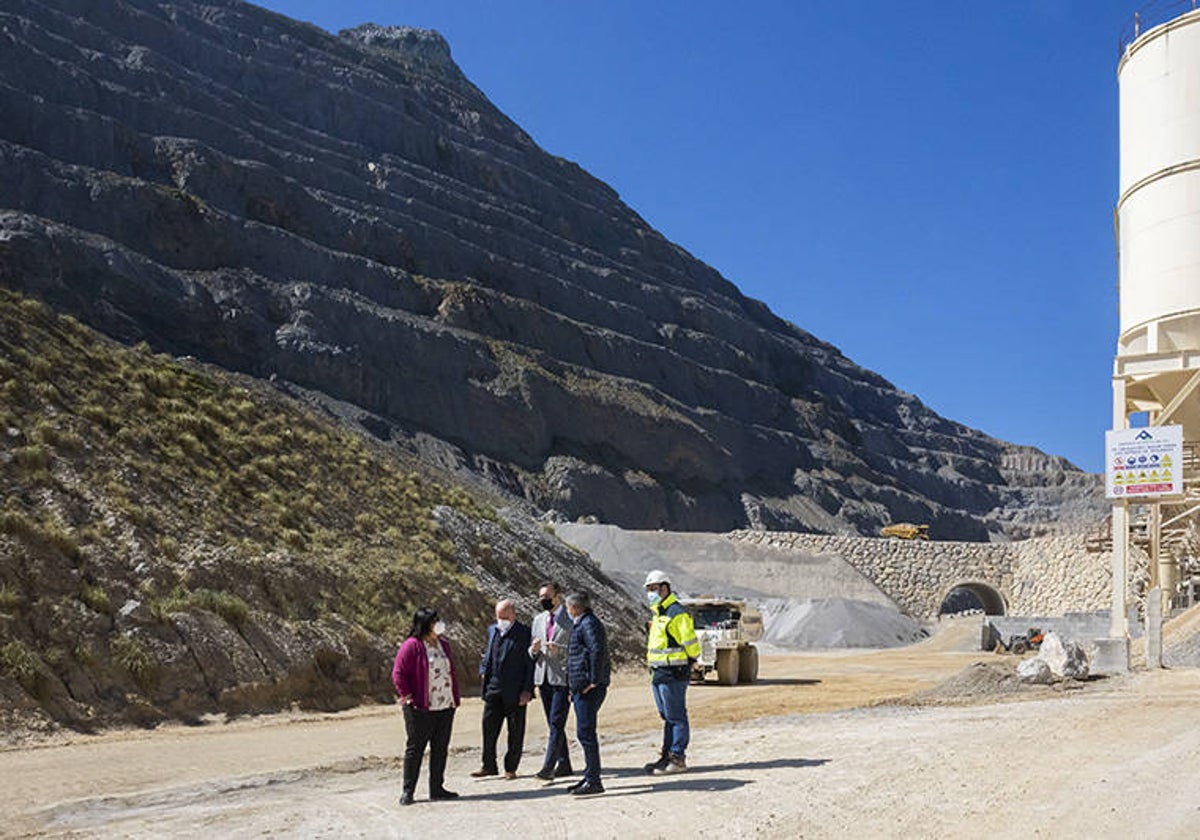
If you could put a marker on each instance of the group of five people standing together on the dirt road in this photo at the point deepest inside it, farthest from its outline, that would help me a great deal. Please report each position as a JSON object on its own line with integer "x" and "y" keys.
{"x": 563, "y": 658}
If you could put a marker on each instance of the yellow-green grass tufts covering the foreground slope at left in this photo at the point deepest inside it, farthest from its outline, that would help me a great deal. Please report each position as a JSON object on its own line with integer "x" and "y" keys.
{"x": 142, "y": 493}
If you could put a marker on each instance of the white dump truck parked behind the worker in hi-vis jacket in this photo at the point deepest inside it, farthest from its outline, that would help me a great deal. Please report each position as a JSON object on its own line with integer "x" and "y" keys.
{"x": 727, "y": 629}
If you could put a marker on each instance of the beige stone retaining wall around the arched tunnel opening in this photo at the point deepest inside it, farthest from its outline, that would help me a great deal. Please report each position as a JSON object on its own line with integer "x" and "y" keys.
{"x": 1052, "y": 575}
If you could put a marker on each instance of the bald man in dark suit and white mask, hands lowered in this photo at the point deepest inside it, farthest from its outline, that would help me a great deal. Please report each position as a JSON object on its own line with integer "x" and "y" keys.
{"x": 508, "y": 688}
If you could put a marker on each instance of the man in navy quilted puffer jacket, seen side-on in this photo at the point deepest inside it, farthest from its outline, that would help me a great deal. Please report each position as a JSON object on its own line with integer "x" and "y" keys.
{"x": 587, "y": 680}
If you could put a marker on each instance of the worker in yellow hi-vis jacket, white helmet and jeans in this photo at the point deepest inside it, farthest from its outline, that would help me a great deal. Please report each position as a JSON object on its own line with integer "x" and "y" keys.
{"x": 671, "y": 646}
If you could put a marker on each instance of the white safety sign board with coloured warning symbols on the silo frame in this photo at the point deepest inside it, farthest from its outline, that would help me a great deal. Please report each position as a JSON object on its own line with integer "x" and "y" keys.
{"x": 1144, "y": 464}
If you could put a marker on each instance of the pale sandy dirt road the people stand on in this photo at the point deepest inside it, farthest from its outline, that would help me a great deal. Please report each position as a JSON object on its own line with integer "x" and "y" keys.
{"x": 788, "y": 757}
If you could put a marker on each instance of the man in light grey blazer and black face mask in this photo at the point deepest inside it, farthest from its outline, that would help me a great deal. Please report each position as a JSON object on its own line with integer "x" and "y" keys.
{"x": 550, "y": 637}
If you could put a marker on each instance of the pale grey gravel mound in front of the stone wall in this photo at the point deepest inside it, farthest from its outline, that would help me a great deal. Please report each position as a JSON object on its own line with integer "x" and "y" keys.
{"x": 837, "y": 623}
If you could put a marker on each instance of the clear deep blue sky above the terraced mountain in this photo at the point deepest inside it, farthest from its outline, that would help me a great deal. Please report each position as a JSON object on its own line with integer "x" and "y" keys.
{"x": 928, "y": 185}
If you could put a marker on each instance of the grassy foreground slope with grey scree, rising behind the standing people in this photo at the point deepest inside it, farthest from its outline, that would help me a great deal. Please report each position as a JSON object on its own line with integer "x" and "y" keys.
{"x": 177, "y": 542}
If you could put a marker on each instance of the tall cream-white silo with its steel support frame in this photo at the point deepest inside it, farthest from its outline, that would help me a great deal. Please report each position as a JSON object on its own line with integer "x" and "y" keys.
{"x": 1157, "y": 219}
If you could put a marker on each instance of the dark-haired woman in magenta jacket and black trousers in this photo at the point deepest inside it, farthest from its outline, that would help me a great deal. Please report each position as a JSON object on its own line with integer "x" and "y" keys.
{"x": 428, "y": 686}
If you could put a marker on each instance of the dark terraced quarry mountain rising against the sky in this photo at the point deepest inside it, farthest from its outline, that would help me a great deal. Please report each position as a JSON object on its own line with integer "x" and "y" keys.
{"x": 350, "y": 215}
